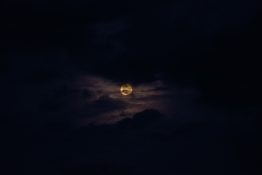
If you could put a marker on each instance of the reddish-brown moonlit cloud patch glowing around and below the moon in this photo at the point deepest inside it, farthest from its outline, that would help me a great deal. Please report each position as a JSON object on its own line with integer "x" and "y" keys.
{"x": 106, "y": 104}
